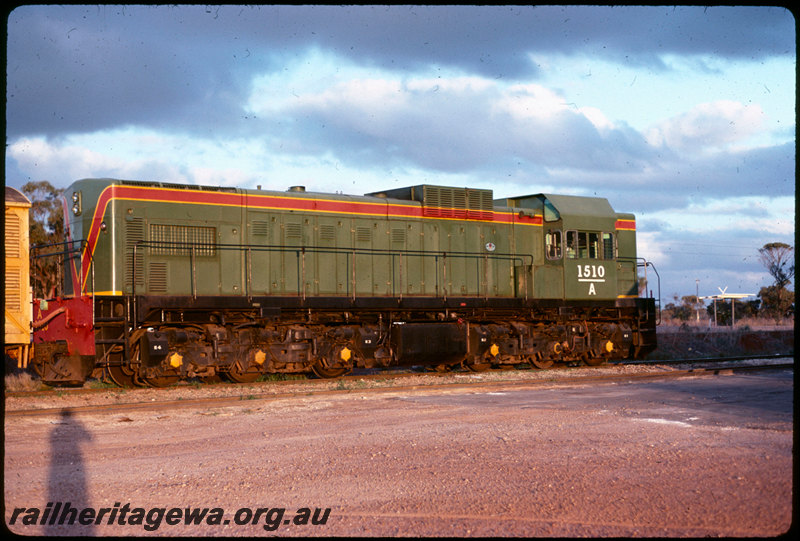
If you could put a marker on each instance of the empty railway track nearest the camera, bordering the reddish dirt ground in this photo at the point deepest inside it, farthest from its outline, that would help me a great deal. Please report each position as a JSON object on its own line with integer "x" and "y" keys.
{"x": 118, "y": 400}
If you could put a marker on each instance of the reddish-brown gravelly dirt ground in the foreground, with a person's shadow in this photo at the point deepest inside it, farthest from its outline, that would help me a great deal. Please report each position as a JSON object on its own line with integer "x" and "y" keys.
{"x": 689, "y": 458}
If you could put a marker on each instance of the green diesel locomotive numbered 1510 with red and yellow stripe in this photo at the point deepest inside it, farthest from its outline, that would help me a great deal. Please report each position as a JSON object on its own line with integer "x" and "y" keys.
{"x": 162, "y": 282}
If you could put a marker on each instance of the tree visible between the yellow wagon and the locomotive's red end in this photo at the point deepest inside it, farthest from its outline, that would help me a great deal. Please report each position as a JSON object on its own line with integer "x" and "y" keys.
{"x": 46, "y": 227}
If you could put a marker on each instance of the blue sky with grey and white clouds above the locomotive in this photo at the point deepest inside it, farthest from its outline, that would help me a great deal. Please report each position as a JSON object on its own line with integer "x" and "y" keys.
{"x": 683, "y": 116}
